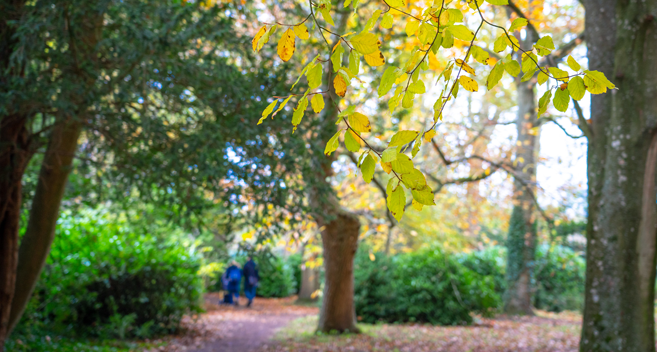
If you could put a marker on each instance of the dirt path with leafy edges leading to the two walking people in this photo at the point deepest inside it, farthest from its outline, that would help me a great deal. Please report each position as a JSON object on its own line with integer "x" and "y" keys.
{"x": 237, "y": 329}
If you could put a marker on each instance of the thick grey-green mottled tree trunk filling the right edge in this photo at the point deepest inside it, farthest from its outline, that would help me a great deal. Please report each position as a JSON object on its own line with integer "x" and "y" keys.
{"x": 620, "y": 274}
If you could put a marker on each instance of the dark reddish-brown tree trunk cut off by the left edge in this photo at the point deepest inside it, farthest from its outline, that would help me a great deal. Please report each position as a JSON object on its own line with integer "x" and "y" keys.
{"x": 14, "y": 156}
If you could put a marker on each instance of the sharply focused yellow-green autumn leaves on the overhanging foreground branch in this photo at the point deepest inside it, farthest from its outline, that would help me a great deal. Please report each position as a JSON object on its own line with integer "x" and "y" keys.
{"x": 432, "y": 29}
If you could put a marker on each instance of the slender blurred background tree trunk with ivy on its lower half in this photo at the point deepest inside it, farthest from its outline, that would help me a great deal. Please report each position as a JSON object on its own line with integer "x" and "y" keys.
{"x": 521, "y": 240}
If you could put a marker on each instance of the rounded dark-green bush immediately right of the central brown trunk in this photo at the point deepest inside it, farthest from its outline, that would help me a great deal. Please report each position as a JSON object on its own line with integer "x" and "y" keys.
{"x": 424, "y": 286}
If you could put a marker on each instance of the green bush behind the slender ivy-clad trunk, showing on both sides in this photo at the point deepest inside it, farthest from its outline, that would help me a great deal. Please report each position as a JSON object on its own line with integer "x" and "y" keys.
{"x": 558, "y": 278}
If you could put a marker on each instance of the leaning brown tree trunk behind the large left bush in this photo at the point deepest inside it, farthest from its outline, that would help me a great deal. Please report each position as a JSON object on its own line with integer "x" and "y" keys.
{"x": 35, "y": 245}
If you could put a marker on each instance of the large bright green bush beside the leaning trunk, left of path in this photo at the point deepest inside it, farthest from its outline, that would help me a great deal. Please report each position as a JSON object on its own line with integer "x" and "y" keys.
{"x": 102, "y": 279}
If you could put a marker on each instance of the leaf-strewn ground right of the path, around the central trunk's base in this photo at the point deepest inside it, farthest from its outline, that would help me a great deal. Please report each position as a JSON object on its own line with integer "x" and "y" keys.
{"x": 545, "y": 332}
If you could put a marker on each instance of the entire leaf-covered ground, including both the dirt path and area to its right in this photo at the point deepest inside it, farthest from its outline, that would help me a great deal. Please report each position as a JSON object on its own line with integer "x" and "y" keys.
{"x": 276, "y": 325}
